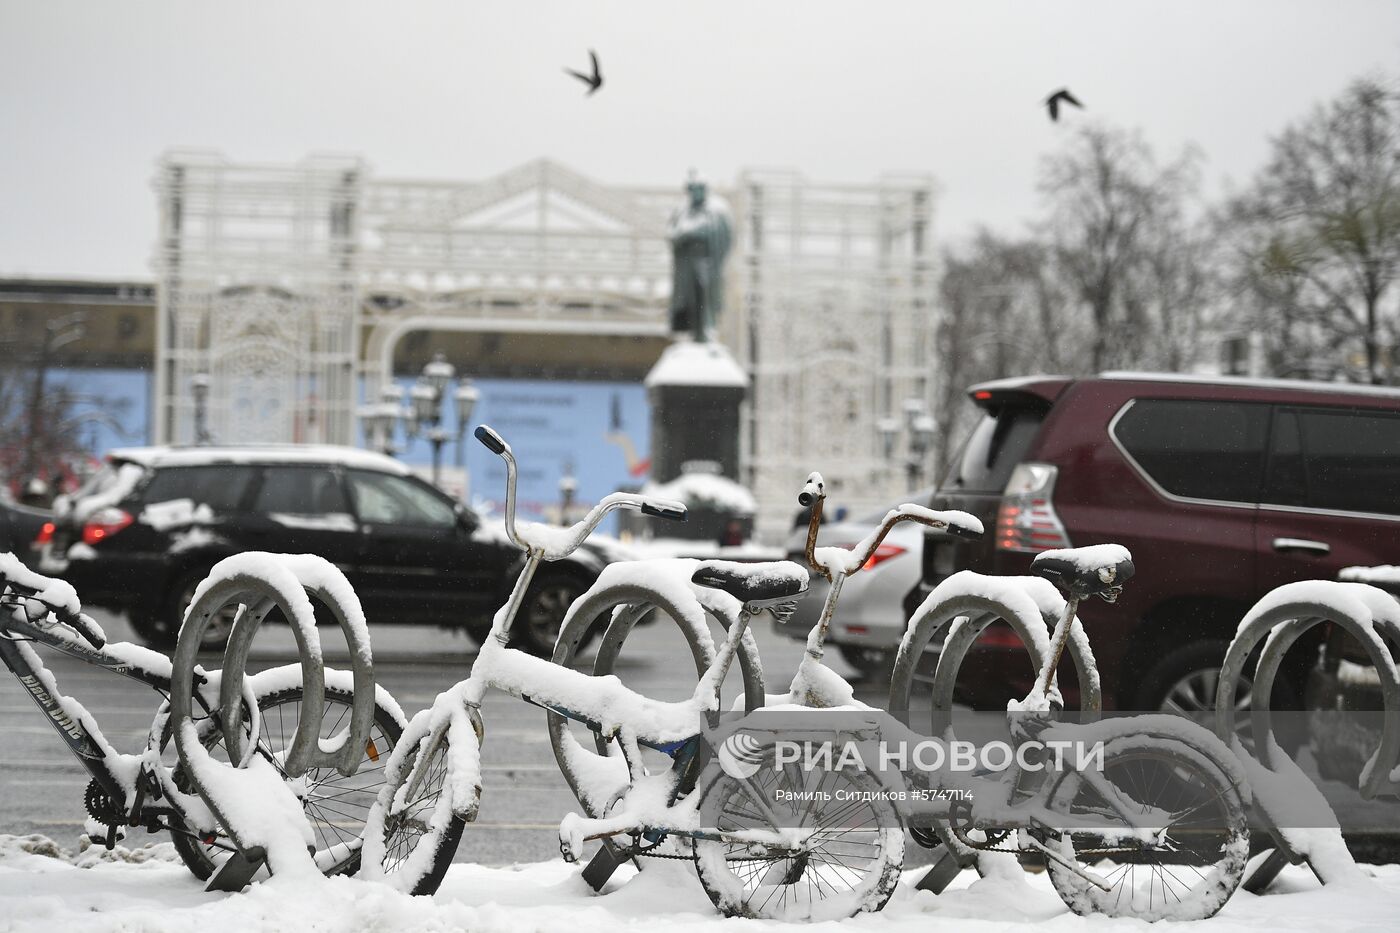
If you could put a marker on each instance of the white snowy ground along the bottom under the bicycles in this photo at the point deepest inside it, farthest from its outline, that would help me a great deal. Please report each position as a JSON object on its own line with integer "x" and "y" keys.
{"x": 148, "y": 890}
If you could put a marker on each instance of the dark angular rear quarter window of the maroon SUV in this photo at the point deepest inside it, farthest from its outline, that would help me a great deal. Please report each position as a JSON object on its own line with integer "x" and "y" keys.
{"x": 1198, "y": 449}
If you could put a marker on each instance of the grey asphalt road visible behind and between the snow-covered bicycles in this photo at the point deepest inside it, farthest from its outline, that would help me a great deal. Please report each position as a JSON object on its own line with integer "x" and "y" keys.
{"x": 526, "y": 796}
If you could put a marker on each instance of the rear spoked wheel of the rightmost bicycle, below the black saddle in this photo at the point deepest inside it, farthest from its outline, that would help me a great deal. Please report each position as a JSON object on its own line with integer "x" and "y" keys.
{"x": 1192, "y": 866}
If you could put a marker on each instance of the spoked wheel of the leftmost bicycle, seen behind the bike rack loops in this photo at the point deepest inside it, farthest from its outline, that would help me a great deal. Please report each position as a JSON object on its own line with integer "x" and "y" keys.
{"x": 337, "y": 806}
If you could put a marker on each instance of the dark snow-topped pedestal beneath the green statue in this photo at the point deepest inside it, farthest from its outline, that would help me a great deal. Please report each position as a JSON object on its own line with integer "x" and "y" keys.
{"x": 695, "y": 393}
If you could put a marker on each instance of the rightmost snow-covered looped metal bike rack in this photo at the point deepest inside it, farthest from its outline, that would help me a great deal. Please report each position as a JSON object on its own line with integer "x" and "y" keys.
{"x": 1280, "y": 628}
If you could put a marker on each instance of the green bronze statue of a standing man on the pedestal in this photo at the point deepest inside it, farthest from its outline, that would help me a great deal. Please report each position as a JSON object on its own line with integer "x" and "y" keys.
{"x": 699, "y": 243}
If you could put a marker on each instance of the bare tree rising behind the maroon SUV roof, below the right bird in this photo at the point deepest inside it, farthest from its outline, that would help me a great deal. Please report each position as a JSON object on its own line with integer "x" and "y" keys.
{"x": 1123, "y": 247}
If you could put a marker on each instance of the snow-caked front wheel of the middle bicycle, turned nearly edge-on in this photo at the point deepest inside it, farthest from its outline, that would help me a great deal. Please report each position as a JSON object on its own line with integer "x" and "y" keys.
{"x": 416, "y": 845}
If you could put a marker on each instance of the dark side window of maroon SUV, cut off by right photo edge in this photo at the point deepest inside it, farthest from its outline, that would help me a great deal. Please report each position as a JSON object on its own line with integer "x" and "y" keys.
{"x": 1336, "y": 459}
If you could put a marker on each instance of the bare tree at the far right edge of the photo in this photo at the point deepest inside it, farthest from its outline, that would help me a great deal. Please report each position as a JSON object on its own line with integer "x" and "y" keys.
{"x": 1318, "y": 240}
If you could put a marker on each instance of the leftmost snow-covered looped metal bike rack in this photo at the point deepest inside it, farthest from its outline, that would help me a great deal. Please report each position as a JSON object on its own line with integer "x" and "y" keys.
{"x": 255, "y": 597}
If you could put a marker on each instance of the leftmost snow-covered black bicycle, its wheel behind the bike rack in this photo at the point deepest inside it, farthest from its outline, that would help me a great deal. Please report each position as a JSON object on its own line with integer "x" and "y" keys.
{"x": 148, "y": 789}
